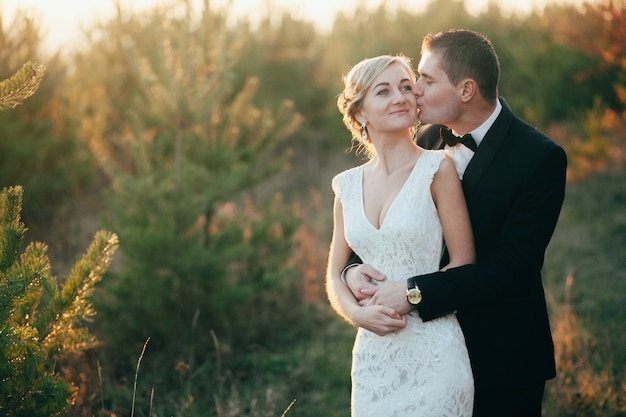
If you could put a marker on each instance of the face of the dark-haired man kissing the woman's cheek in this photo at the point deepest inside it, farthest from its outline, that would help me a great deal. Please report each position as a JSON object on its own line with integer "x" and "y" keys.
{"x": 437, "y": 98}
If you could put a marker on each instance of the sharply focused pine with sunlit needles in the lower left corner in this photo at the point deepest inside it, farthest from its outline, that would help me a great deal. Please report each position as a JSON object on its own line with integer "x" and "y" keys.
{"x": 41, "y": 321}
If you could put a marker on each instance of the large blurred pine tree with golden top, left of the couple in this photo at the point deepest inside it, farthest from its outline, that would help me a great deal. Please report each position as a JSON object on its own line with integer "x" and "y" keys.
{"x": 177, "y": 131}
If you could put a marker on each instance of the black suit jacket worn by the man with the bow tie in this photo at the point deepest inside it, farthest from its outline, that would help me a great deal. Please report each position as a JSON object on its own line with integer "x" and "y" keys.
{"x": 514, "y": 187}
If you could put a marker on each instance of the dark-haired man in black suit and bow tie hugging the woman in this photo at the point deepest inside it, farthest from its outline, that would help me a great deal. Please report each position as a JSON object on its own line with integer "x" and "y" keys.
{"x": 514, "y": 186}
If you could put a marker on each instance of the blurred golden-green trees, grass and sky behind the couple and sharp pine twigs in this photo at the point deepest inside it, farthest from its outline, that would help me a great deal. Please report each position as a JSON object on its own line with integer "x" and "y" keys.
{"x": 205, "y": 135}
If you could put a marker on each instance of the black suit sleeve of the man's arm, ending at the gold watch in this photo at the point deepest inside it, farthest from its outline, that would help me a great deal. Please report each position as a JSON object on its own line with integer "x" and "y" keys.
{"x": 511, "y": 267}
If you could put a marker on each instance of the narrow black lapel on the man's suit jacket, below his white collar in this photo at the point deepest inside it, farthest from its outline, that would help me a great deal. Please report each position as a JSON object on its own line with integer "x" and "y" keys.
{"x": 488, "y": 148}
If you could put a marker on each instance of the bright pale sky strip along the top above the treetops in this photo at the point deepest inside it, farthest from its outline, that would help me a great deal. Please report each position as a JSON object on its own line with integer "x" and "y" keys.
{"x": 62, "y": 19}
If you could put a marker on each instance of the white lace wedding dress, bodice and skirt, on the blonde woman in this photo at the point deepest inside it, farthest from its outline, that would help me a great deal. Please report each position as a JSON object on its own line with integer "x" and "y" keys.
{"x": 422, "y": 370}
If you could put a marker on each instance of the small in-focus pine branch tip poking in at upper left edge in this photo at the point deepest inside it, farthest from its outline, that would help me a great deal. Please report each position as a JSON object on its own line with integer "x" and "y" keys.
{"x": 20, "y": 86}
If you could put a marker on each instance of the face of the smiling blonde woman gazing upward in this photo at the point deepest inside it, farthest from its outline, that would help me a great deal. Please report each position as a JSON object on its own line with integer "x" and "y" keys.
{"x": 389, "y": 104}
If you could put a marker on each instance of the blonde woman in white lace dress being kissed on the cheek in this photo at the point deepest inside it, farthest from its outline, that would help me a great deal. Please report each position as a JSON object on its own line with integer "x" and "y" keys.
{"x": 394, "y": 212}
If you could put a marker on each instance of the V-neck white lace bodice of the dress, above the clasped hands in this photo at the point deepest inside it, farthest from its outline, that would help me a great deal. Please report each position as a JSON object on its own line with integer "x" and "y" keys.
{"x": 395, "y": 249}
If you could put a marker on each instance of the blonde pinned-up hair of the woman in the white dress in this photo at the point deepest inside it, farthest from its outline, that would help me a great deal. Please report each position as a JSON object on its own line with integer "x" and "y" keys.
{"x": 356, "y": 84}
